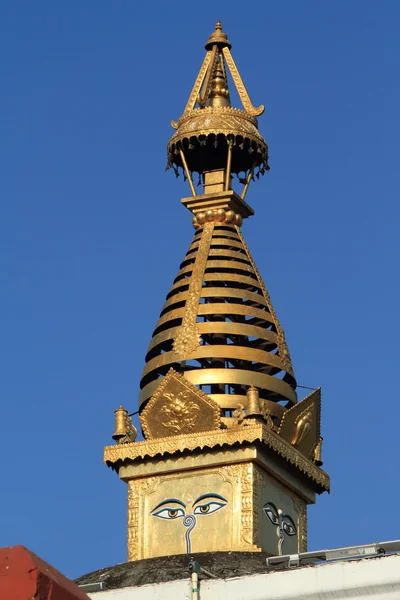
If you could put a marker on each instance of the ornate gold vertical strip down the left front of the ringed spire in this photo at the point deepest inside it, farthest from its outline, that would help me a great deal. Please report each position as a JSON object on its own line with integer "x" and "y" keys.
{"x": 188, "y": 336}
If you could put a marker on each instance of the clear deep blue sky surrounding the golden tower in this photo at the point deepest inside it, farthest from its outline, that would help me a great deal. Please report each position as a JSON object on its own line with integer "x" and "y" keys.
{"x": 92, "y": 233}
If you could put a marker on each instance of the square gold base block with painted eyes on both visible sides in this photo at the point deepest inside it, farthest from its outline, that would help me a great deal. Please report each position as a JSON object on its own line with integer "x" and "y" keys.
{"x": 233, "y": 507}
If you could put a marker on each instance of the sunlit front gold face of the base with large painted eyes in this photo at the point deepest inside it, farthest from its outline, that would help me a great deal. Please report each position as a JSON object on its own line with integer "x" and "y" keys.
{"x": 177, "y": 513}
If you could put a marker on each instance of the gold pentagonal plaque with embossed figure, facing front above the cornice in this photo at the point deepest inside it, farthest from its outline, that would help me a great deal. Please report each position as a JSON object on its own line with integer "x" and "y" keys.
{"x": 178, "y": 407}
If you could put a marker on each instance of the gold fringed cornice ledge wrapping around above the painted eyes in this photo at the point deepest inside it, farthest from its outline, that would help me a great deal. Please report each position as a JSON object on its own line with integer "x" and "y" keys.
{"x": 210, "y": 439}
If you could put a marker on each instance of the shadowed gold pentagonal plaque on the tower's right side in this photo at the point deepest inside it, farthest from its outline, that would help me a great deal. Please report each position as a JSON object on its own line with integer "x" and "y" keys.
{"x": 301, "y": 424}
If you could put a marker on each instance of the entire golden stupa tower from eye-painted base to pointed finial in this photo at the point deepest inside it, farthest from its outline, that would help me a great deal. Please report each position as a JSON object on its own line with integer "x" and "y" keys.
{"x": 230, "y": 458}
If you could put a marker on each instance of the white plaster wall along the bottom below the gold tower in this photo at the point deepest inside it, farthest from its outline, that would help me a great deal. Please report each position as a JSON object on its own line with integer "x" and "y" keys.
{"x": 377, "y": 578}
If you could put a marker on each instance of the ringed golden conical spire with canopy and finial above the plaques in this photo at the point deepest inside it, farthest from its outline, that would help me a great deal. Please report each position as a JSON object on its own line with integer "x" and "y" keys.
{"x": 218, "y": 325}
